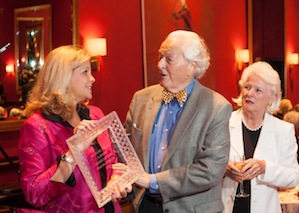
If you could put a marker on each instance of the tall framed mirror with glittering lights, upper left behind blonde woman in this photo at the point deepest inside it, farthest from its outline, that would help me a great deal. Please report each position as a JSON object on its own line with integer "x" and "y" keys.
{"x": 32, "y": 41}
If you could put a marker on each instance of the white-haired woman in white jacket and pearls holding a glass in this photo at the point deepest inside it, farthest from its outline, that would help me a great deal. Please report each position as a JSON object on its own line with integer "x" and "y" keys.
{"x": 268, "y": 144}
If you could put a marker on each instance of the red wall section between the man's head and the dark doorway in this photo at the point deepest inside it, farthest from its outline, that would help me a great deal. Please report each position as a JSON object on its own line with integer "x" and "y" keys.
{"x": 227, "y": 33}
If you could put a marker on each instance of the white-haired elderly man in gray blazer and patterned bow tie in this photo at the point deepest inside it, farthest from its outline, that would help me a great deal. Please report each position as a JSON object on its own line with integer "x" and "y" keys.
{"x": 183, "y": 143}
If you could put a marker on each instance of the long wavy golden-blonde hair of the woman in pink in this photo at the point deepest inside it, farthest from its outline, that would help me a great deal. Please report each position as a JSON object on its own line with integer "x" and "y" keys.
{"x": 51, "y": 92}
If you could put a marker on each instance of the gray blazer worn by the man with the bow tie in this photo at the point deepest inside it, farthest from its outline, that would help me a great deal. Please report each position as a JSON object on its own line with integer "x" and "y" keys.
{"x": 197, "y": 155}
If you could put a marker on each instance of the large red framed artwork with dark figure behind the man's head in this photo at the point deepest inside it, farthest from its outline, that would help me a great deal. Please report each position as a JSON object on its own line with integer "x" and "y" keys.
{"x": 159, "y": 18}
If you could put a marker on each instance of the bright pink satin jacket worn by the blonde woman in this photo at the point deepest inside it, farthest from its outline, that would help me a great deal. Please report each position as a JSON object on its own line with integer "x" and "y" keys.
{"x": 42, "y": 141}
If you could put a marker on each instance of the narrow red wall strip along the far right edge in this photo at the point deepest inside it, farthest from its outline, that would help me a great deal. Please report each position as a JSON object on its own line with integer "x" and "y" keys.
{"x": 292, "y": 45}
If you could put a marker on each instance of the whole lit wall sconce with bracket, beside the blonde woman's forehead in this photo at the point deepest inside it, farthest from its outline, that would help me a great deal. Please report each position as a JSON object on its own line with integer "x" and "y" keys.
{"x": 96, "y": 47}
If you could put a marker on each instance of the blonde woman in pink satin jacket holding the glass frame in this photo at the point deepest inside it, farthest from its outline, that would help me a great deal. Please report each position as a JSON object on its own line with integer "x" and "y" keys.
{"x": 57, "y": 107}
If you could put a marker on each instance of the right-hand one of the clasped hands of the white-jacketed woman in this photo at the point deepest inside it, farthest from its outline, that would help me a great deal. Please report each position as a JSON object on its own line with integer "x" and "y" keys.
{"x": 253, "y": 168}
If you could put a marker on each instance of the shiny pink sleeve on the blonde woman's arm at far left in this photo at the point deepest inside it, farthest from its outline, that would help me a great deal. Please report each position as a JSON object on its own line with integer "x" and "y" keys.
{"x": 37, "y": 166}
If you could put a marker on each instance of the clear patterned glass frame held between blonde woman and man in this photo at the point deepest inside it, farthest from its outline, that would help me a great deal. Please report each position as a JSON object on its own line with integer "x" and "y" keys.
{"x": 124, "y": 149}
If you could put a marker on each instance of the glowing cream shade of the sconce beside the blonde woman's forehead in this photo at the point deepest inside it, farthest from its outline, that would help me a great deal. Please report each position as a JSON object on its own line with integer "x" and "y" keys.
{"x": 96, "y": 46}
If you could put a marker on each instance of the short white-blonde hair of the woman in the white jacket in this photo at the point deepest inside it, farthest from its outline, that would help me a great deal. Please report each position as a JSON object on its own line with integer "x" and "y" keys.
{"x": 268, "y": 75}
